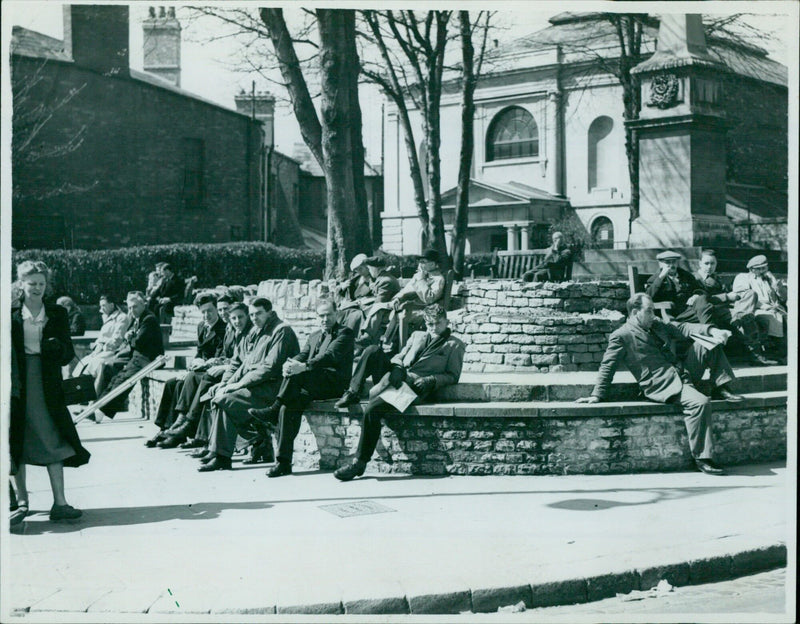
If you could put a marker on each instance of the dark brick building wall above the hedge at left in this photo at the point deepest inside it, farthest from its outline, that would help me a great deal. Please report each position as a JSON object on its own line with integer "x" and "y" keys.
{"x": 139, "y": 147}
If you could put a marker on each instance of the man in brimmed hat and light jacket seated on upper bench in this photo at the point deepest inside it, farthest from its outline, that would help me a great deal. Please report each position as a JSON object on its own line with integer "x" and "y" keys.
{"x": 424, "y": 288}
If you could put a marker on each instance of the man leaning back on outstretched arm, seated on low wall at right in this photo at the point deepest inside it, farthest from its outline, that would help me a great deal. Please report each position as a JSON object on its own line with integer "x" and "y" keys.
{"x": 668, "y": 365}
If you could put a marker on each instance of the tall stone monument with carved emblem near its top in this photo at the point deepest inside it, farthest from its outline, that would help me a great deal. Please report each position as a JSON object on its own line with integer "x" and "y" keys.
{"x": 681, "y": 132}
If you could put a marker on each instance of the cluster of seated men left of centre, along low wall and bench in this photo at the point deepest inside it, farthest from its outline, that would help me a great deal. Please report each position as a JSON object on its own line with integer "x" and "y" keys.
{"x": 250, "y": 377}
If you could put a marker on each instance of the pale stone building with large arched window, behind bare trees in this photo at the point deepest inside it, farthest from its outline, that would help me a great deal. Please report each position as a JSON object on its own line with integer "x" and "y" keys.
{"x": 550, "y": 133}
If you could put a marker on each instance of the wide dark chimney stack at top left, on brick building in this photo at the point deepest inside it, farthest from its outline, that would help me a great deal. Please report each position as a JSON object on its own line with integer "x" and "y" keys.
{"x": 96, "y": 36}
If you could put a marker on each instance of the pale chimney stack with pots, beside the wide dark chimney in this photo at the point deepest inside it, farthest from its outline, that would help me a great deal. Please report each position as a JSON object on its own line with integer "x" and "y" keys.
{"x": 162, "y": 44}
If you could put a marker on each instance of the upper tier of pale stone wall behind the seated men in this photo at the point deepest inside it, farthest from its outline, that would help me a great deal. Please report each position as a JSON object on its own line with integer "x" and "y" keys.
{"x": 506, "y": 325}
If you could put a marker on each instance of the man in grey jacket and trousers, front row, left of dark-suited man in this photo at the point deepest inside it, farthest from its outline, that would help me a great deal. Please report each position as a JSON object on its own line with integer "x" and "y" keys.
{"x": 255, "y": 381}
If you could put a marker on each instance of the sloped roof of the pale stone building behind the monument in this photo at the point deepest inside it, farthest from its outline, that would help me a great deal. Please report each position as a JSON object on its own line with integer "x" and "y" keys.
{"x": 585, "y": 36}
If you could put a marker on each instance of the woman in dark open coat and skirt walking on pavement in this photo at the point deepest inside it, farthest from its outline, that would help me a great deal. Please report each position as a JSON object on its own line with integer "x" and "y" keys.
{"x": 42, "y": 432}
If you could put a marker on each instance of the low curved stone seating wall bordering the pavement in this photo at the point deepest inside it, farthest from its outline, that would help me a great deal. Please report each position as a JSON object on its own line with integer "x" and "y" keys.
{"x": 555, "y": 440}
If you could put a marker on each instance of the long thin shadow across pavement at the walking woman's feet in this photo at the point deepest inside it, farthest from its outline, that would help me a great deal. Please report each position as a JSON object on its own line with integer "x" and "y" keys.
{"x": 121, "y": 516}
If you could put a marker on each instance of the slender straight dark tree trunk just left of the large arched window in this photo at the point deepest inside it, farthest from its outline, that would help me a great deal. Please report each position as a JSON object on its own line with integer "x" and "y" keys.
{"x": 468, "y": 83}
